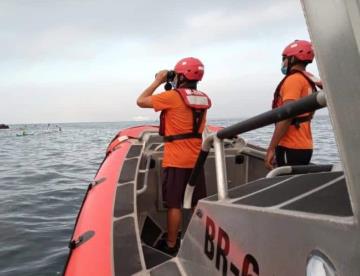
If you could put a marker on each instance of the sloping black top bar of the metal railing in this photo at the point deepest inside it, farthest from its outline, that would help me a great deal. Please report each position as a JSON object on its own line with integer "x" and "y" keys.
{"x": 292, "y": 109}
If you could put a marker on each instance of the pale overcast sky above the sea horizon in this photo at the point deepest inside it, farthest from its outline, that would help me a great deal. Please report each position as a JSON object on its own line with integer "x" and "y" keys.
{"x": 87, "y": 61}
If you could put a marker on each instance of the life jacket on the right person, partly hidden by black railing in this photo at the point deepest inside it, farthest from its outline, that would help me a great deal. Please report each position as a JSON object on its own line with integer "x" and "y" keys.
{"x": 312, "y": 80}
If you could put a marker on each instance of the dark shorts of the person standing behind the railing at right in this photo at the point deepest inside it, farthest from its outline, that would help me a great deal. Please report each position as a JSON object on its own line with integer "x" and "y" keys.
{"x": 289, "y": 157}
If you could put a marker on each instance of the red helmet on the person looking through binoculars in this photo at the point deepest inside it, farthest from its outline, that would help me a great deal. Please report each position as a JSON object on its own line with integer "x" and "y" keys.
{"x": 191, "y": 68}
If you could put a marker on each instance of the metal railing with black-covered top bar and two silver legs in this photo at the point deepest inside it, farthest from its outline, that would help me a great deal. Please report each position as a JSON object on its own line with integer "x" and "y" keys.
{"x": 304, "y": 105}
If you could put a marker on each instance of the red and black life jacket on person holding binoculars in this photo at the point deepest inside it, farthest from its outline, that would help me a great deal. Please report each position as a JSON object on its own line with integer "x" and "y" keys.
{"x": 199, "y": 102}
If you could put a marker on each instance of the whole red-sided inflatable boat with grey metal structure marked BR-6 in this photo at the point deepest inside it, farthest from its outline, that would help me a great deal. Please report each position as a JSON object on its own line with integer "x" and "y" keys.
{"x": 289, "y": 221}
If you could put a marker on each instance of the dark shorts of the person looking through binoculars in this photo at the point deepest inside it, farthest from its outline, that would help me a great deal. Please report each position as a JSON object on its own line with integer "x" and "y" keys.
{"x": 174, "y": 182}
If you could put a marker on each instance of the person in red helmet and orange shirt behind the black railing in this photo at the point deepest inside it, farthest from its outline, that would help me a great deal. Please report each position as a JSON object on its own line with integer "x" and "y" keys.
{"x": 291, "y": 143}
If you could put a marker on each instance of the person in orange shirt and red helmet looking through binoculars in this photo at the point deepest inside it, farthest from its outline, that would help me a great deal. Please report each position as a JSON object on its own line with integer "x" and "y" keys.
{"x": 182, "y": 121}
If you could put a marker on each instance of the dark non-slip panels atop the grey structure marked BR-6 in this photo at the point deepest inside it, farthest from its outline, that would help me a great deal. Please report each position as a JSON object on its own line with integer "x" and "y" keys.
{"x": 320, "y": 193}
